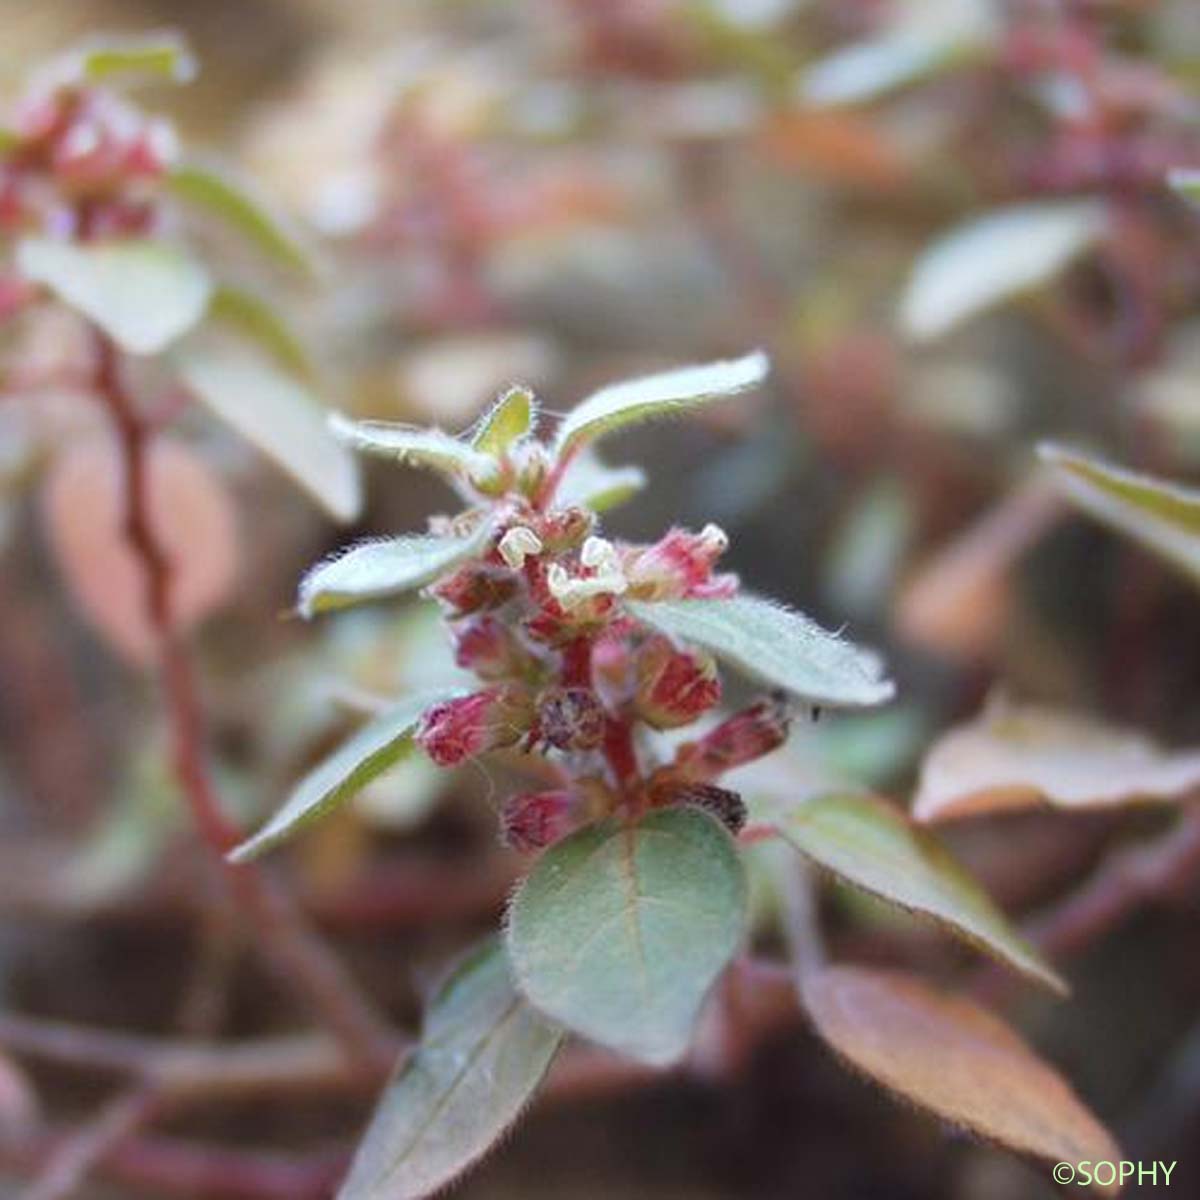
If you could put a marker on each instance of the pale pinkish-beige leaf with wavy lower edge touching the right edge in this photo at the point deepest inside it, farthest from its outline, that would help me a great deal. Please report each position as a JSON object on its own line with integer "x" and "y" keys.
{"x": 1018, "y": 755}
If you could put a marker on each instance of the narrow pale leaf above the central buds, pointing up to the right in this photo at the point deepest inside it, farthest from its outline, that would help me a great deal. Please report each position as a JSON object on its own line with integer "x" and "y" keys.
{"x": 658, "y": 395}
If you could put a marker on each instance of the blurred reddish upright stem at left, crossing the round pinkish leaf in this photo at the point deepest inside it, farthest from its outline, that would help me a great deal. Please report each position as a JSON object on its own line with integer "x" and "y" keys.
{"x": 299, "y": 959}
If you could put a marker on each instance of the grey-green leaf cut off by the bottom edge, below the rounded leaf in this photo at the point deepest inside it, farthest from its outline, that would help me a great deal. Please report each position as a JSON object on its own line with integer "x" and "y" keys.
{"x": 482, "y": 1057}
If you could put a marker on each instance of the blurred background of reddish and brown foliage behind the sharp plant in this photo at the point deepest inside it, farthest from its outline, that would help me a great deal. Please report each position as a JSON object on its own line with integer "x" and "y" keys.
{"x": 565, "y": 193}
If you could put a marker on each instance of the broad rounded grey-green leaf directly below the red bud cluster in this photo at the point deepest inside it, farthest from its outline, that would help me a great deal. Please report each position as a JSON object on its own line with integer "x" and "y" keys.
{"x": 621, "y": 931}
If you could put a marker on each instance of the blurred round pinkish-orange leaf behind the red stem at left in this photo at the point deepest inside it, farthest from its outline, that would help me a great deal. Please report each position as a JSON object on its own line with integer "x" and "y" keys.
{"x": 85, "y": 509}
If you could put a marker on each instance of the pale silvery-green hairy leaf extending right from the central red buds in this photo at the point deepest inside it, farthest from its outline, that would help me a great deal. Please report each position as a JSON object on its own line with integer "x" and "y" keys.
{"x": 776, "y": 646}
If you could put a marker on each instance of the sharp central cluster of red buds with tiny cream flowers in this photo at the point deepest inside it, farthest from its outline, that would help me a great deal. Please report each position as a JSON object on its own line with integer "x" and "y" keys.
{"x": 539, "y": 619}
